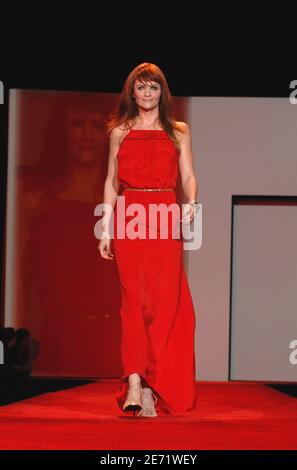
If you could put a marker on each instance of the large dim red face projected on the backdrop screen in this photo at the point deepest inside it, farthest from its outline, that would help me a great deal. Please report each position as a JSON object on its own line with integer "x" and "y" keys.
{"x": 85, "y": 135}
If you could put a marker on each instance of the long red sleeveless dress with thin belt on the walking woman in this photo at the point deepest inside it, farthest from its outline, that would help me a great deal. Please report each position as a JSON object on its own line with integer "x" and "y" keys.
{"x": 157, "y": 312}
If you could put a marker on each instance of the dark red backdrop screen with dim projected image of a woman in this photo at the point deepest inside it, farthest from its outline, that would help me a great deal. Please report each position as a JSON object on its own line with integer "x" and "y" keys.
{"x": 57, "y": 287}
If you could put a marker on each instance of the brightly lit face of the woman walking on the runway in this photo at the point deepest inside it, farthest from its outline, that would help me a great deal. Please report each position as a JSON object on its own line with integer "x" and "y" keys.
{"x": 147, "y": 94}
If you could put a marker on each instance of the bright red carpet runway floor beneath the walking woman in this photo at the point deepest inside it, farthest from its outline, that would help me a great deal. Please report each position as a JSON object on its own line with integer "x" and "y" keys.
{"x": 229, "y": 415}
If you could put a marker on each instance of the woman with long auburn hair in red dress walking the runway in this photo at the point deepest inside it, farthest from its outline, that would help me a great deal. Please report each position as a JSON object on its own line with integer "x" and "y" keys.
{"x": 158, "y": 320}
